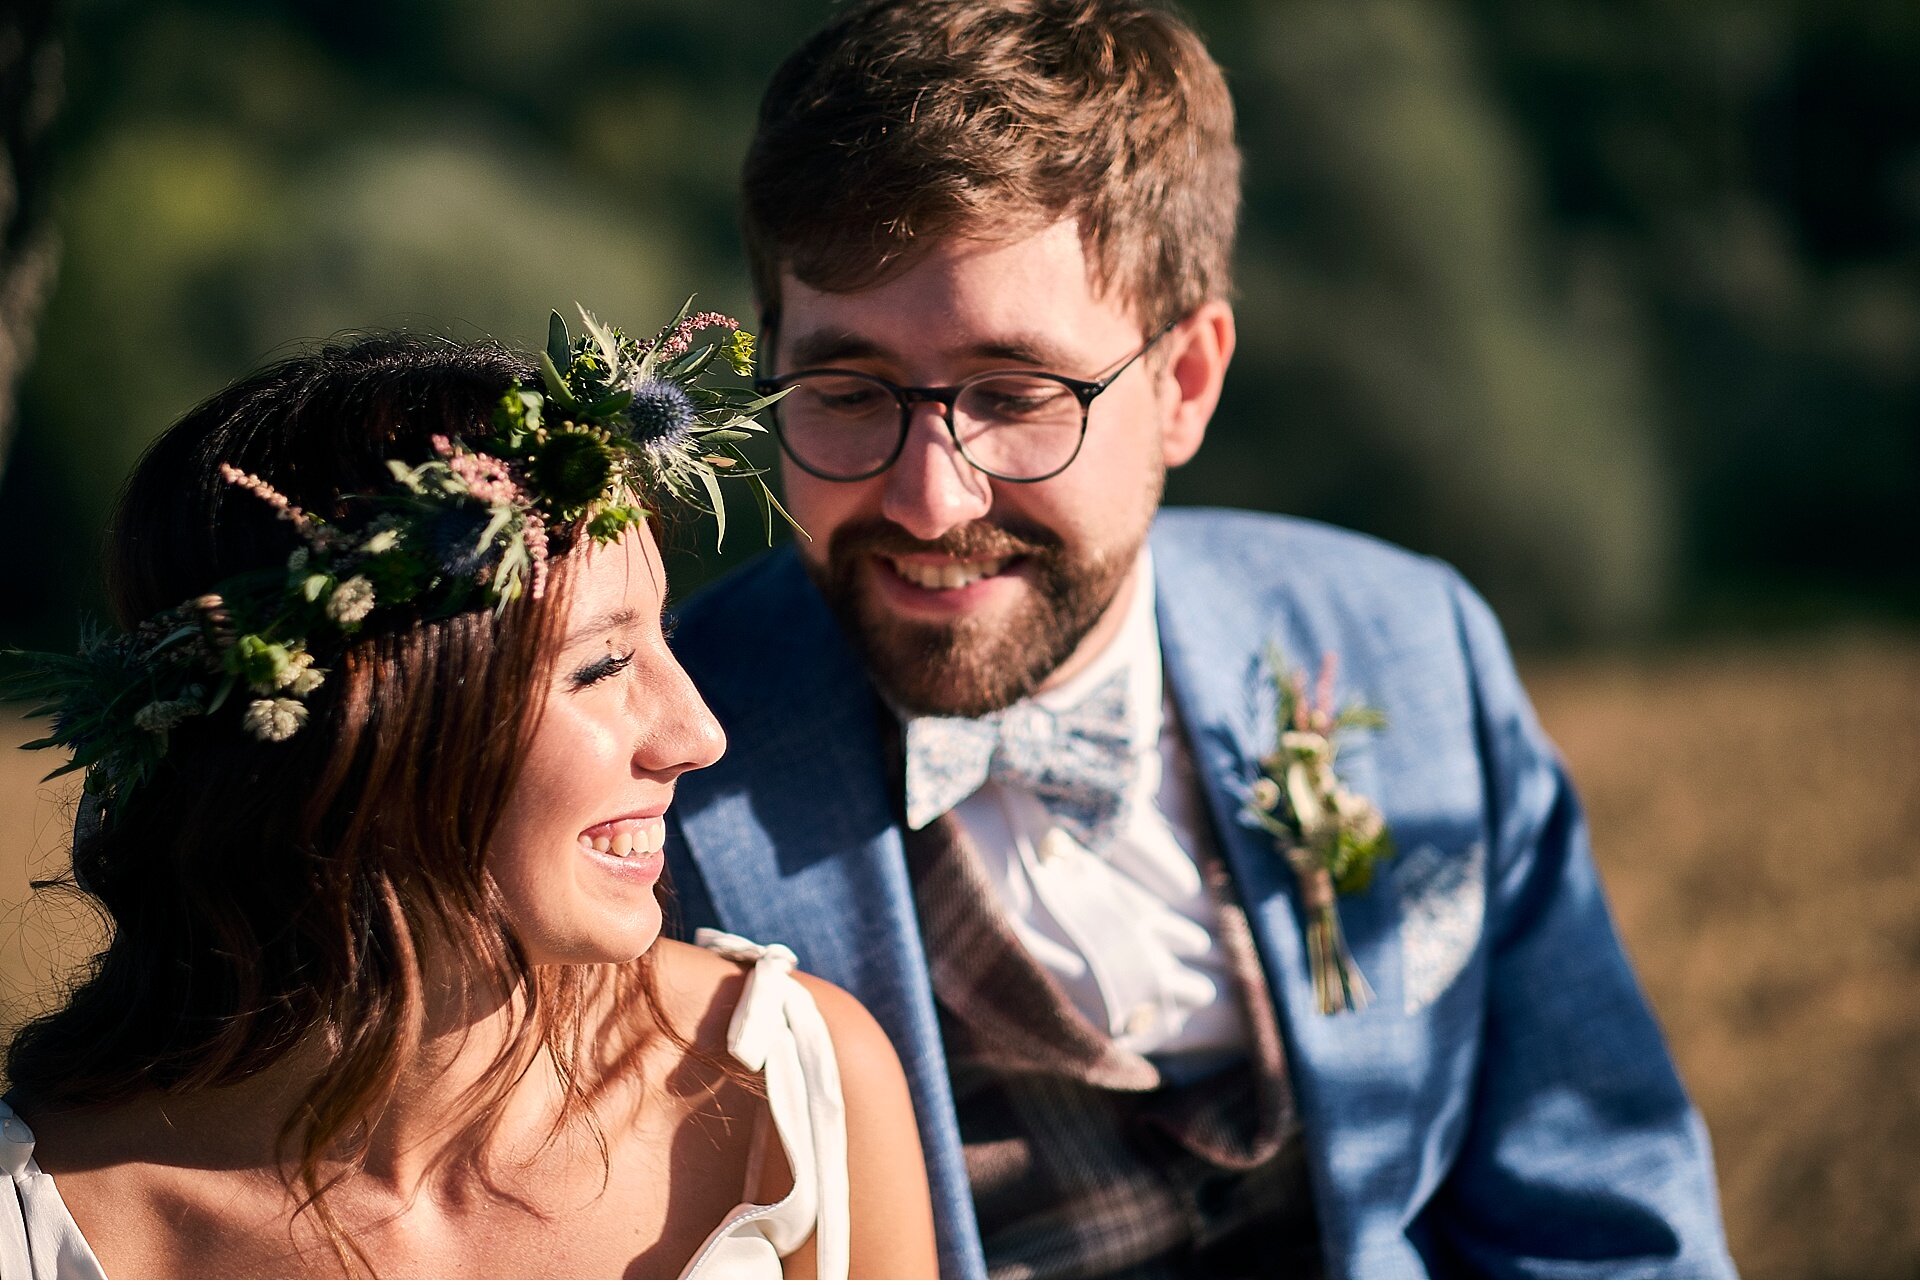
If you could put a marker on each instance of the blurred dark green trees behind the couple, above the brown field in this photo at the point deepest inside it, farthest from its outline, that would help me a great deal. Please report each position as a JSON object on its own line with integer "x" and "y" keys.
{"x": 1614, "y": 306}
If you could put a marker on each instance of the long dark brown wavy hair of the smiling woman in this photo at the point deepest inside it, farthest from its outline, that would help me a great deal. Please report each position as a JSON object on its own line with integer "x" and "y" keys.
{"x": 268, "y": 898}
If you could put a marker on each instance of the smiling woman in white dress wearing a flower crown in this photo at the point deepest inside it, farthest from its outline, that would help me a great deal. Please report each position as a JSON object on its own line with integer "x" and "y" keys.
{"x": 377, "y": 787}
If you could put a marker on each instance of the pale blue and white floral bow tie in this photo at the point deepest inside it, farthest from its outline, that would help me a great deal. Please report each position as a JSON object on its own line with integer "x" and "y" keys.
{"x": 1078, "y": 762}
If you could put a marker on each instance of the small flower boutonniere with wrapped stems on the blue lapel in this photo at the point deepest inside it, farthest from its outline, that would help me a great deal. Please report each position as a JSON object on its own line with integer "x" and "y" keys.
{"x": 1330, "y": 836}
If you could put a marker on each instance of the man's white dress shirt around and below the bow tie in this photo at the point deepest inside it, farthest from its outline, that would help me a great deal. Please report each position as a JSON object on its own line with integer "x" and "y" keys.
{"x": 1132, "y": 936}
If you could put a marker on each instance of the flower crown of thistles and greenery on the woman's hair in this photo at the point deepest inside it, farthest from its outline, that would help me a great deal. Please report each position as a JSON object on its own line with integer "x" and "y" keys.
{"x": 612, "y": 422}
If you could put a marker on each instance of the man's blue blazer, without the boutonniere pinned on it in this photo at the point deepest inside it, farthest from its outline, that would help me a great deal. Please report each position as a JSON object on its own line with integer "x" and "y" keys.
{"x": 1506, "y": 1107}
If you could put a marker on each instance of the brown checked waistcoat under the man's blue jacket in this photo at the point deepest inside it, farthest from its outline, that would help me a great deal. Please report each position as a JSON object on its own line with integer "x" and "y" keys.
{"x": 1082, "y": 1161}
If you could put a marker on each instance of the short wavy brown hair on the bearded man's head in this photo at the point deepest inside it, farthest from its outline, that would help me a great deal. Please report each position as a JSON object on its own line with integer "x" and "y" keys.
{"x": 909, "y": 122}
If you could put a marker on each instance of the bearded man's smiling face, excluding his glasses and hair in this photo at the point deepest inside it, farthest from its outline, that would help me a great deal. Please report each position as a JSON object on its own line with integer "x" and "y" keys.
{"x": 965, "y": 591}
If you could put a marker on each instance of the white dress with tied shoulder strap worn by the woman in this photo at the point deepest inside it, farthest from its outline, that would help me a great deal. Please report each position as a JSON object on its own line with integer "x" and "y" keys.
{"x": 777, "y": 1030}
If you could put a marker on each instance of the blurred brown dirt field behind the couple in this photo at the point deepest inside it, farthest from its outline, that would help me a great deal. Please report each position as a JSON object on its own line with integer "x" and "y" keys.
{"x": 1754, "y": 815}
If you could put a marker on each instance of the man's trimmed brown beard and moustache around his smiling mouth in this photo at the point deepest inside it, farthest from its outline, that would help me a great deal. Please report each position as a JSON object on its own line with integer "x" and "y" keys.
{"x": 984, "y": 662}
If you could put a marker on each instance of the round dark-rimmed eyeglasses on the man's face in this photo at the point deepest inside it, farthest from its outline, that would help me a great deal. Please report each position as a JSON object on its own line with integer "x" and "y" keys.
{"x": 1011, "y": 425}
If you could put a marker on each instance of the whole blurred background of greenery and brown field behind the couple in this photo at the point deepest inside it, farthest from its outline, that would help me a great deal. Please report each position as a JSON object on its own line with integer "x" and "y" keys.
{"x": 1616, "y": 306}
